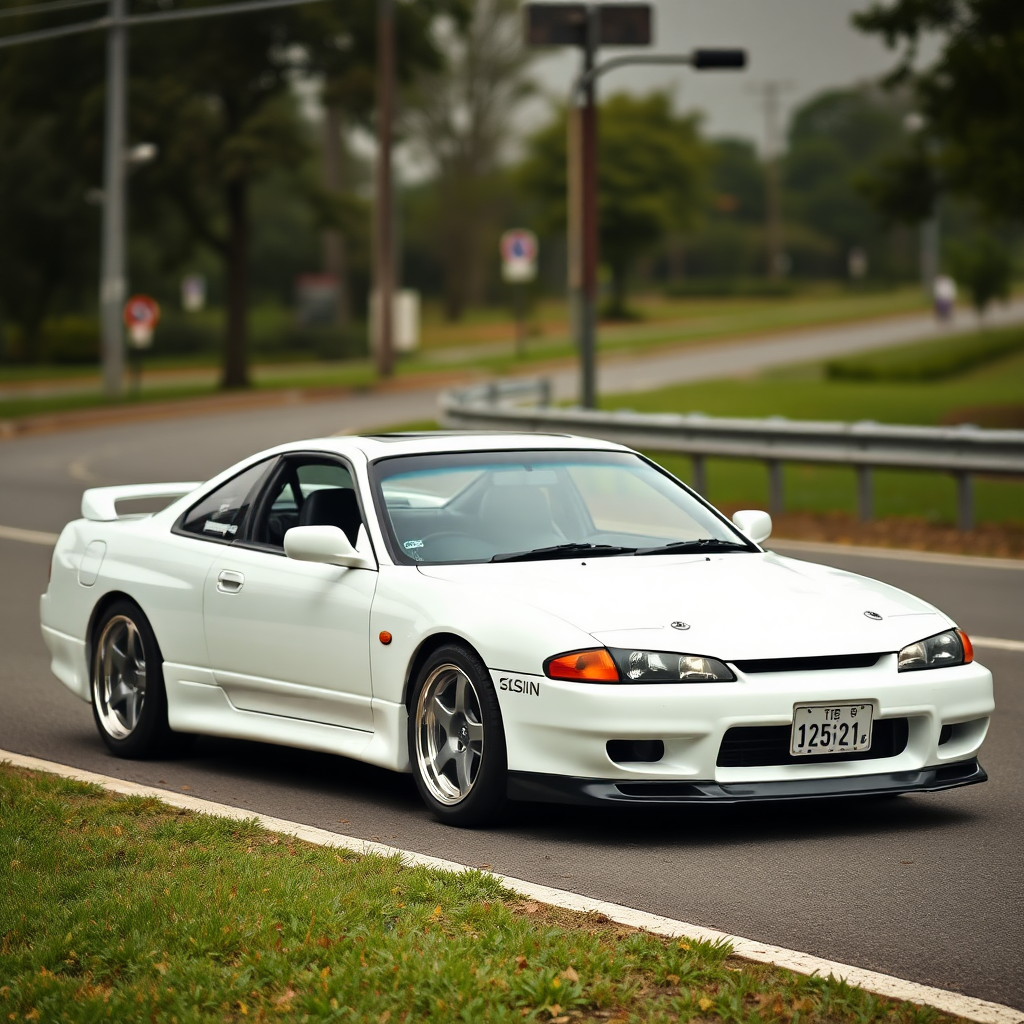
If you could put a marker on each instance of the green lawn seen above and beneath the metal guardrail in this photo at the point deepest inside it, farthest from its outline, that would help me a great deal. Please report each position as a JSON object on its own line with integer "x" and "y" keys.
{"x": 805, "y": 394}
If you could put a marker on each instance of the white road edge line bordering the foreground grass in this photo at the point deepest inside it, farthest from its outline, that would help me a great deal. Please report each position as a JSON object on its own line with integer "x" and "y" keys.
{"x": 882, "y": 985}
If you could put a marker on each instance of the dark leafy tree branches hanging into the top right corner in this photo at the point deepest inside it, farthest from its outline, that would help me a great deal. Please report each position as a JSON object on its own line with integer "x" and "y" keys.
{"x": 971, "y": 98}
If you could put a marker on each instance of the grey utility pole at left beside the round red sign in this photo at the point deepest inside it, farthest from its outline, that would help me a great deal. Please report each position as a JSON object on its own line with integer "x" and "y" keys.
{"x": 112, "y": 278}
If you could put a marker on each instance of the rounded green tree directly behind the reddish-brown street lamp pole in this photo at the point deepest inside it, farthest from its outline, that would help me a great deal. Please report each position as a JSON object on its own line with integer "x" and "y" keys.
{"x": 653, "y": 178}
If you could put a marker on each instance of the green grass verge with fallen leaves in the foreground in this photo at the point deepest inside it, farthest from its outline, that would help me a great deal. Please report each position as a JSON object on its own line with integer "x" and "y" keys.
{"x": 126, "y": 910}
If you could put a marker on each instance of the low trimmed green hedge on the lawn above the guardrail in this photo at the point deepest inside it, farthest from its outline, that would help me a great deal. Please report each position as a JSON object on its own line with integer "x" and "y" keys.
{"x": 933, "y": 361}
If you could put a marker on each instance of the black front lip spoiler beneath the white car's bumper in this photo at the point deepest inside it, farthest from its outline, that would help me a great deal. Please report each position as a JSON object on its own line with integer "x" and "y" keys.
{"x": 568, "y": 790}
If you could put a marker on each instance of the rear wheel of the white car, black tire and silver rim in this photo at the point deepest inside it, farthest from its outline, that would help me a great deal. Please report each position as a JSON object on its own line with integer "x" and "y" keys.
{"x": 131, "y": 707}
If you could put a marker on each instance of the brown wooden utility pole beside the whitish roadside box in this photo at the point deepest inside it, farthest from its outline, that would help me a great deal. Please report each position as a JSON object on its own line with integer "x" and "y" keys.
{"x": 385, "y": 210}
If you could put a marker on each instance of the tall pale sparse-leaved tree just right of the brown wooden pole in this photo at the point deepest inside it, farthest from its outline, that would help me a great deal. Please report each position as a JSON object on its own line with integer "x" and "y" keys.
{"x": 461, "y": 119}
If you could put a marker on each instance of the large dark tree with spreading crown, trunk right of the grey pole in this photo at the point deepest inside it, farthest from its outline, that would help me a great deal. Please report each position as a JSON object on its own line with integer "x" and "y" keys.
{"x": 218, "y": 98}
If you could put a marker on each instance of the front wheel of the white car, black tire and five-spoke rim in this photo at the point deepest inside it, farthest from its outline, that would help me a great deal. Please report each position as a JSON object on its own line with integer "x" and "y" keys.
{"x": 474, "y": 753}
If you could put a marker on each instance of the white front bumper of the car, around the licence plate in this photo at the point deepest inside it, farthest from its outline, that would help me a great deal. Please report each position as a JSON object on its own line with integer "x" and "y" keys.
{"x": 563, "y": 730}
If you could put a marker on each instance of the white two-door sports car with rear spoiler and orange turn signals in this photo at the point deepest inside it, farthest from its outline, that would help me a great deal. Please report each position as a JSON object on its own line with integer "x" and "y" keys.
{"x": 519, "y": 617}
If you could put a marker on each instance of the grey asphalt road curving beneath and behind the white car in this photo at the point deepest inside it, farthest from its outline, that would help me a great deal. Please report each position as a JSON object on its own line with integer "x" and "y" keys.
{"x": 929, "y": 888}
